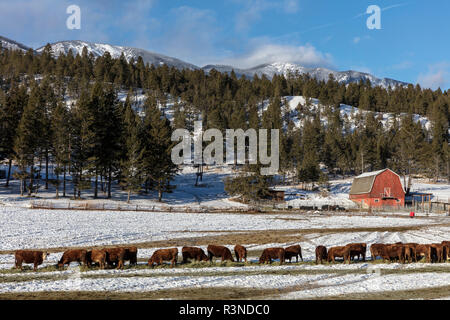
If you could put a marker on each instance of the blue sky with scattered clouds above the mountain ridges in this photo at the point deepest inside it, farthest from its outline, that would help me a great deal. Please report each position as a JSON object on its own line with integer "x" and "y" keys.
{"x": 411, "y": 46}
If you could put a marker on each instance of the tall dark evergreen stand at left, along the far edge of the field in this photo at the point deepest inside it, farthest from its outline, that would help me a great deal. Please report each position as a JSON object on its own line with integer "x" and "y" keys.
{"x": 96, "y": 140}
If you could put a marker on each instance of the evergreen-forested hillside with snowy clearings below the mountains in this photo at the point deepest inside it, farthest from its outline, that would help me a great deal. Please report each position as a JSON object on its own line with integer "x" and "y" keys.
{"x": 65, "y": 111}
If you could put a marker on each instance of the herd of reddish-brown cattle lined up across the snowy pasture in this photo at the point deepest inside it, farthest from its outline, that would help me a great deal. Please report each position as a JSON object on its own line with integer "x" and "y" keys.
{"x": 116, "y": 257}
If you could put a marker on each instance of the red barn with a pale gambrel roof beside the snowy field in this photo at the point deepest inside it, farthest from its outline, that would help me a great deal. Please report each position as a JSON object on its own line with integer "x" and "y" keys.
{"x": 378, "y": 189}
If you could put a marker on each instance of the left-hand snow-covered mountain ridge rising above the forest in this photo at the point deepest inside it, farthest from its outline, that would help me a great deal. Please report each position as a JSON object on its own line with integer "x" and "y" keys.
{"x": 98, "y": 49}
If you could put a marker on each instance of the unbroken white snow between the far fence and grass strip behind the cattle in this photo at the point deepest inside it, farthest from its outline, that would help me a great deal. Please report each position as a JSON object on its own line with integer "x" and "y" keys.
{"x": 32, "y": 228}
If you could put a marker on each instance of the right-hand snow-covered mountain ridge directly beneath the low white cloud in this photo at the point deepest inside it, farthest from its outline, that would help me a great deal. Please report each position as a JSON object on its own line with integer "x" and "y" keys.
{"x": 270, "y": 69}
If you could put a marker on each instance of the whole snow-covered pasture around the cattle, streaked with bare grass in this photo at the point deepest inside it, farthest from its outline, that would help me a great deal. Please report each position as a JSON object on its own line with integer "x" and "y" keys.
{"x": 28, "y": 228}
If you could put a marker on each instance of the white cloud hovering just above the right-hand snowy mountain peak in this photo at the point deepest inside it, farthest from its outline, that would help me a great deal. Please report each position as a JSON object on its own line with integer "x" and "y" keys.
{"x": 305, "y": 55}
